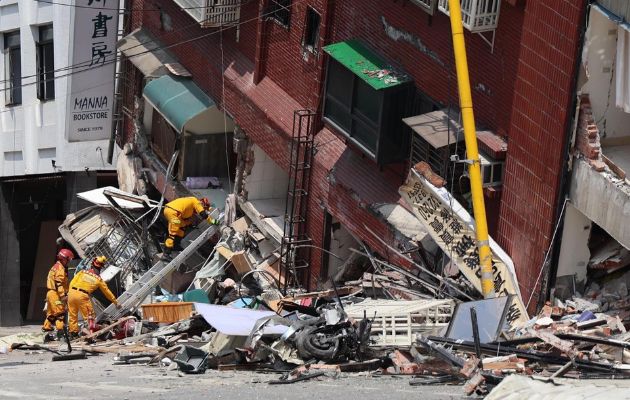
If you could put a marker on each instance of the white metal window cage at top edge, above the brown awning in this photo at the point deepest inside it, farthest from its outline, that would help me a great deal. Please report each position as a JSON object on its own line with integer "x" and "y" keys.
{"x": 212, "y": 13}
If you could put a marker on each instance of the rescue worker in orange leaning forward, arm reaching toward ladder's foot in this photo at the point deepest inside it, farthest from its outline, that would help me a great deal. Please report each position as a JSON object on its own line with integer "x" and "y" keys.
{"x": 84, "y": 283}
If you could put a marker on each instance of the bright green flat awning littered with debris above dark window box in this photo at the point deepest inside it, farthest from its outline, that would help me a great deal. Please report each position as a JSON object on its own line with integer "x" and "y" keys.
{"x": 366, "y": 64}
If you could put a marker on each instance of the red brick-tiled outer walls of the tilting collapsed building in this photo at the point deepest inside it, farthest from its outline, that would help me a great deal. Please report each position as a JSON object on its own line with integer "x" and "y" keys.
{"x": 521, "y": 90}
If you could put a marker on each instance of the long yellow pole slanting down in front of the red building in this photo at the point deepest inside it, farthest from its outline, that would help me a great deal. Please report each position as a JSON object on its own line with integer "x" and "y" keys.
{"x": 470, "y": 136}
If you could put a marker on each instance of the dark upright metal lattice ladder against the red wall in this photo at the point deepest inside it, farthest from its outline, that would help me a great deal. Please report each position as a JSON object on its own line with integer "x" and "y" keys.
{"x": 295, "y": 247}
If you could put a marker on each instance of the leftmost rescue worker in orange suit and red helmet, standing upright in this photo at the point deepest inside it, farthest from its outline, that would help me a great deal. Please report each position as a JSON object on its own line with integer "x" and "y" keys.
{"x": 57, "y": 285}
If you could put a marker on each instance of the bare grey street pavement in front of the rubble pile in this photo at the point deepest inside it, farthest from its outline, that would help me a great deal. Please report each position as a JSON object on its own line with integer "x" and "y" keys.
{"x": 33, "y": 375}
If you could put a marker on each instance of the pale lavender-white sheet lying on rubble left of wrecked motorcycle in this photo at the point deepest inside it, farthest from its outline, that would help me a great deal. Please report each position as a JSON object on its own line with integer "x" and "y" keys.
{"x": 236, "y": 321}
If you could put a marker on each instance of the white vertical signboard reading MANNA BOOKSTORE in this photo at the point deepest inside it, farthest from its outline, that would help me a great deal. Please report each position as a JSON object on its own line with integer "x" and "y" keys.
{"x": 91, "y": 87}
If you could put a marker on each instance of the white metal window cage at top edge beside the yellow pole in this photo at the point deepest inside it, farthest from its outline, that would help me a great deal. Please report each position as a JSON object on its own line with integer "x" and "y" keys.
{"x": 477, "y": 15}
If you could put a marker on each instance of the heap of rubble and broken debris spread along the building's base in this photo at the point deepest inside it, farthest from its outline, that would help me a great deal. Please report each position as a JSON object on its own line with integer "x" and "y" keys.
{"x": 222, "y": 308}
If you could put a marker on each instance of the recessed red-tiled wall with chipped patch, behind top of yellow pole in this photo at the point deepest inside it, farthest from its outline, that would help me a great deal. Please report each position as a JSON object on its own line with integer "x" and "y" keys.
{"x": 431, "y": 61}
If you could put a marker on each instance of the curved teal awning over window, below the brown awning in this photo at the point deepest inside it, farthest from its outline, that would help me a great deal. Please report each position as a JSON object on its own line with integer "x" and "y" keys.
{"x": 177, "y": 99}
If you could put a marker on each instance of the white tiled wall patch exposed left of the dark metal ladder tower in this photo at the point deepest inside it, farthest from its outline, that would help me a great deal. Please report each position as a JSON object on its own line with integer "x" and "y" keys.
{"x": 267, "y": 180}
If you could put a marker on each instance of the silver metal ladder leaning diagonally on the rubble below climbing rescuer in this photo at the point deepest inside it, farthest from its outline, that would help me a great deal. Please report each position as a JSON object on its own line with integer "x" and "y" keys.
{"x": 133, "y": 297}
